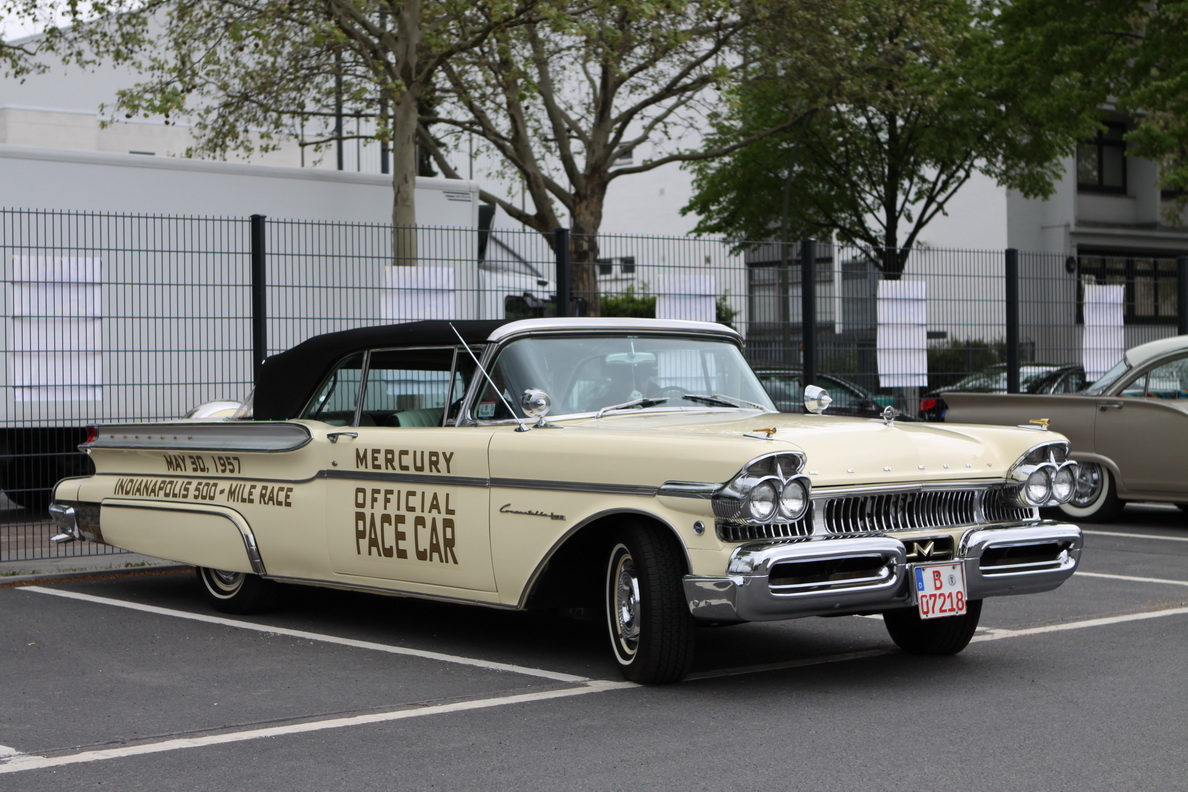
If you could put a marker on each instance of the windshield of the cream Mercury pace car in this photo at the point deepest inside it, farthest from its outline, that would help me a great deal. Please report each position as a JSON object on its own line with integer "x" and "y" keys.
{"x": 592, "y": 375}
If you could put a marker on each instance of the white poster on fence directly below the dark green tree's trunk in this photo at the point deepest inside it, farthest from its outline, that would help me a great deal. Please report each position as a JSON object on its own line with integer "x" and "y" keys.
{"x": 902, "y": 334}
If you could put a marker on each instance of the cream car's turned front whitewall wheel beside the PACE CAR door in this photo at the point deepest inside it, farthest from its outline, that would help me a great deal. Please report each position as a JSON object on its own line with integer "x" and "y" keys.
{"x": 652, "y": 632}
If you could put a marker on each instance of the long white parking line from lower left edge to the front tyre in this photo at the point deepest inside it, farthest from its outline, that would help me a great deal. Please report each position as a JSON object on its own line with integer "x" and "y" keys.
{"x": 23, "y": 763}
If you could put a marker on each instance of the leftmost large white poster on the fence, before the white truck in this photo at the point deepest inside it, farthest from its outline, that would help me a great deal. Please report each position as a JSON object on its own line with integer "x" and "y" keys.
{"x": 56, "y": 330}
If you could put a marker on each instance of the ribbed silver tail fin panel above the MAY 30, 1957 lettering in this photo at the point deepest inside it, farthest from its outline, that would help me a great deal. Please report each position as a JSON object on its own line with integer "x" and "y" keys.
{"x": 223, "y": 436}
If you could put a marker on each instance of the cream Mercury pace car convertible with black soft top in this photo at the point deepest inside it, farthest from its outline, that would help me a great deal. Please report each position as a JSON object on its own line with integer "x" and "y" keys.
{"x": 633, "y": 466}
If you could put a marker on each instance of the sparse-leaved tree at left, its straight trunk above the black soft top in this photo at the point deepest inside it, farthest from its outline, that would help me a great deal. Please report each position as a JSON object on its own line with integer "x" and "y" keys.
{"x": 251, "y": 75}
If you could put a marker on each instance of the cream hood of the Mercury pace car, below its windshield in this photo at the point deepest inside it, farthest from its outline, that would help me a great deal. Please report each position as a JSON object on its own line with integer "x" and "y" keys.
{"x": 839, "y": 451}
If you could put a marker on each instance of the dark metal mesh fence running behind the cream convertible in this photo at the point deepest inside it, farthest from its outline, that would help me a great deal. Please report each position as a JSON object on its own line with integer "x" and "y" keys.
{"x": 118, "y": 318}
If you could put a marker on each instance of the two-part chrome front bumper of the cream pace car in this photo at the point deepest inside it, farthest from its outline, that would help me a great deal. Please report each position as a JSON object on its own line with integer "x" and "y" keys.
{"x": 844, "y": 575}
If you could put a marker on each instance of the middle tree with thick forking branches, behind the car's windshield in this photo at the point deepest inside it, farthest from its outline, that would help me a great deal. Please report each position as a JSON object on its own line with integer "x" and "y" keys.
{"x": 565, "y": 100}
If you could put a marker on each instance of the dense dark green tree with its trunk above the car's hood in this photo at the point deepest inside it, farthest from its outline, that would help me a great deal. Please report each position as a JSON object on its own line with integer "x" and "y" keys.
{"x": 934, "y": 96}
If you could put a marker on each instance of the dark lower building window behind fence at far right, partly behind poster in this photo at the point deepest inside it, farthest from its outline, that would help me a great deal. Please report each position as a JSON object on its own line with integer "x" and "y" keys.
{"x": 1149, "y": 283}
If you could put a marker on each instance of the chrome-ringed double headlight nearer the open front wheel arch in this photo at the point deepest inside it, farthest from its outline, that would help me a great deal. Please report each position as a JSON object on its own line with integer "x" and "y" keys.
{"x": 769, "y": 490}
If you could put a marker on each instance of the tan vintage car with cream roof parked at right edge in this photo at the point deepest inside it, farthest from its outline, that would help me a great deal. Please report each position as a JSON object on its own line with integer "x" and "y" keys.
{"x": 1129, "y": 430}
